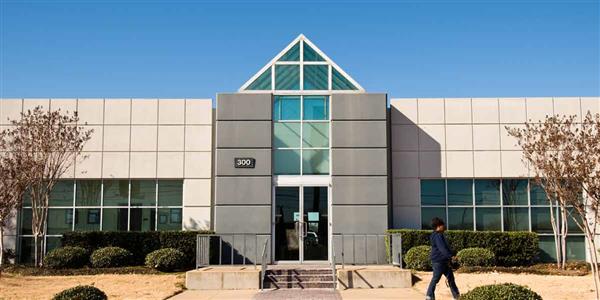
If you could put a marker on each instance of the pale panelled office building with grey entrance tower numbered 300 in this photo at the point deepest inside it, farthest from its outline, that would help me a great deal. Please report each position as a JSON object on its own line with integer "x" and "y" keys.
{"x": 301, "y": 154}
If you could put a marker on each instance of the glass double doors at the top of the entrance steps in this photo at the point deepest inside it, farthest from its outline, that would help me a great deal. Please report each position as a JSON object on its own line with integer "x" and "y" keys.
{"x": 301, "y": 230}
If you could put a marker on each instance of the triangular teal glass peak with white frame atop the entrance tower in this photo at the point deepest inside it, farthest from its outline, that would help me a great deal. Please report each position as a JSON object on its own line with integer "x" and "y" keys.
{"x": 301, "y": 66}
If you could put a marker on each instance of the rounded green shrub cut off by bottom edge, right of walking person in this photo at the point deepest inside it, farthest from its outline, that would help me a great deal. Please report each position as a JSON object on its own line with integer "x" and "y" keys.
{"x": 505, "y": 291}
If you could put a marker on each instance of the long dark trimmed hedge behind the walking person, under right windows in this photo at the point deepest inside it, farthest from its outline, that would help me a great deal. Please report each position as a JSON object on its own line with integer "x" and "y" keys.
{"x": 515, "y": 248}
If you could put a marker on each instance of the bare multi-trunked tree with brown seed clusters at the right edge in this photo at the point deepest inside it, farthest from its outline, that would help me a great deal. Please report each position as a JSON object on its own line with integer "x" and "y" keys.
{"x": 565, "y": 158}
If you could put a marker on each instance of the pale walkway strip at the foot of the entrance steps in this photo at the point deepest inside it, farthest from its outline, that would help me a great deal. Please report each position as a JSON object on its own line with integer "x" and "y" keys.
{"x": 310, "y": 294}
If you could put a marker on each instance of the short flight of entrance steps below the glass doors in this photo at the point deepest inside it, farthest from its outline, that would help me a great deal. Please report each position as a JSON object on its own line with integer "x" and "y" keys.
{"x": 299, "y": 278}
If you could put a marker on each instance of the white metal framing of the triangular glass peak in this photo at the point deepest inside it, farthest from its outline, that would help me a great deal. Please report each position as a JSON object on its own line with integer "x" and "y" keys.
{"x": 327, "y": 61}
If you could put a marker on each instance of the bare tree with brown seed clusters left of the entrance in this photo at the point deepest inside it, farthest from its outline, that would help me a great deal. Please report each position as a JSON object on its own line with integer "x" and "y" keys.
{"x": 49, "y": 141}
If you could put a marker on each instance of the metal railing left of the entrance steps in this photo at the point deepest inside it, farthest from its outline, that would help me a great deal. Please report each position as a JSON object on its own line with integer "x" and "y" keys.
{"x": 230, "y": 249}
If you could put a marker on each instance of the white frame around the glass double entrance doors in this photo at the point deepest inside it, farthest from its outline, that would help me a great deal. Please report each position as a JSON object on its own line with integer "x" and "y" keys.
{"x": 301, "y": 182}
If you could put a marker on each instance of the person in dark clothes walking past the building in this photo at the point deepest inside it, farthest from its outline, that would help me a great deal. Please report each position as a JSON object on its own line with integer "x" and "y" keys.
{"x": 441, "y": 257}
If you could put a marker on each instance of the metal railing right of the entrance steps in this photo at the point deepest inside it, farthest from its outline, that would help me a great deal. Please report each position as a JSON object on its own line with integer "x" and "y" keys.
{"x": 364, "y": 249}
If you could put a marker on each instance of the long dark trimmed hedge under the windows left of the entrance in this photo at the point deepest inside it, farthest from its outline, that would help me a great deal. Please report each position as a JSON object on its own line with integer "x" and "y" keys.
{"x": 138, "y": 243}
